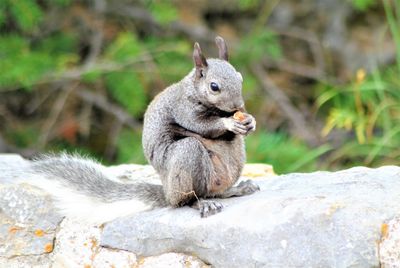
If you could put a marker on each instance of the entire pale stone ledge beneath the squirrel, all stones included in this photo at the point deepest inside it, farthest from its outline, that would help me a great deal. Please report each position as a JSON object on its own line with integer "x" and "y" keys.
{"x": 321, "y": 219}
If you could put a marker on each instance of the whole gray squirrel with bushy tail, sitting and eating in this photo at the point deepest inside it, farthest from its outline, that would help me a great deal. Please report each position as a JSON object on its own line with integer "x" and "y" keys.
{"x": 189, "y": 136}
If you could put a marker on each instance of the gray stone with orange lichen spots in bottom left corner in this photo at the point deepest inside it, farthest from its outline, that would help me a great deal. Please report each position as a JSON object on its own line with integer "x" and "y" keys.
{"x": 28, "y": 221}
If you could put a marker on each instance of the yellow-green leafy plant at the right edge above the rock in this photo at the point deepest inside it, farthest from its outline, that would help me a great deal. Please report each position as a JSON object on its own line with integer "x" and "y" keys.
{"x": 369, "y": 107}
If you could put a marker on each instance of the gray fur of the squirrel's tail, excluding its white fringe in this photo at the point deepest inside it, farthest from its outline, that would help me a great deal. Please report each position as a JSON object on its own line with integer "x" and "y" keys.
{"x": 85, "y": 176}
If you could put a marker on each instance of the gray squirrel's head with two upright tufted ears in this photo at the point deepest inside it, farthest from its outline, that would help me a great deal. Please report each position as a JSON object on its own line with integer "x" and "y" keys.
{"x": 216, "y": 81}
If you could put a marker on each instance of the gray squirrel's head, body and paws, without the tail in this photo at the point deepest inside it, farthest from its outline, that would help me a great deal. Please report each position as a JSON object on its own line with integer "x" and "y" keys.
{"x": 190, "y": 137}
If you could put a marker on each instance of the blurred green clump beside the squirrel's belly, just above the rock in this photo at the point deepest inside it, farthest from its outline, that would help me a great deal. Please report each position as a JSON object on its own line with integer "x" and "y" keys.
{"x": 283, "y": 153}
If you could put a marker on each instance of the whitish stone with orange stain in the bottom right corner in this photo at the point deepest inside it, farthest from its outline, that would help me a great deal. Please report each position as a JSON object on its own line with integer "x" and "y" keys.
{"x": 389, "y": 248}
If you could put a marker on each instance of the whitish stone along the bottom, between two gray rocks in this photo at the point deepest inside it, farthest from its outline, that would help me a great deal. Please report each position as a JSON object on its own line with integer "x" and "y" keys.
{"x": 77, "y": 245}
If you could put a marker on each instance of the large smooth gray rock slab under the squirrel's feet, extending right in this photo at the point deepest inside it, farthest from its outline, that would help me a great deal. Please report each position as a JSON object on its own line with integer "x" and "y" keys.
{"x": 321, "y": 219}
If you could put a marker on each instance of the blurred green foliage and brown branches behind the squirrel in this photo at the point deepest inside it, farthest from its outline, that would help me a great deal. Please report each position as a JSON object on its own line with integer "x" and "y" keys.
{"x": 322, "y": 77}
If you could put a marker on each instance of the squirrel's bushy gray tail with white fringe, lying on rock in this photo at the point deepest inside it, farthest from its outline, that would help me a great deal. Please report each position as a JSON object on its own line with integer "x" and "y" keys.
{"x": 82, "y": 188}
